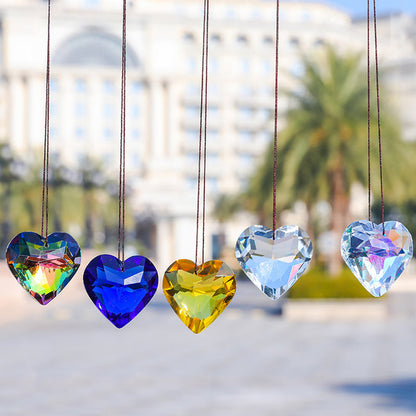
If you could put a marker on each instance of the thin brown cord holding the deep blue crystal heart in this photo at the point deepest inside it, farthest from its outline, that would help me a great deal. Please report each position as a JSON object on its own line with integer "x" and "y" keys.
{"x": 122, "y": 178}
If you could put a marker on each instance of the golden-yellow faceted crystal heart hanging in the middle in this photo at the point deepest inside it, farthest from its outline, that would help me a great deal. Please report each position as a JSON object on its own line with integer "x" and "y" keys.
{"x": 199, "y": 296}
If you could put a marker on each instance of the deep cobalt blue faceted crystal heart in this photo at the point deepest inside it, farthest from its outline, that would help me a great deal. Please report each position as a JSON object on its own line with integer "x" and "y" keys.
{"x": 120, "y": 294}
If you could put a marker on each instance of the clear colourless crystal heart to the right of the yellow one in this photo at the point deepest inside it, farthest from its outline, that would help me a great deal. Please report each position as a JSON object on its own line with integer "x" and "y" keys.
{"x": 274, "y": 265}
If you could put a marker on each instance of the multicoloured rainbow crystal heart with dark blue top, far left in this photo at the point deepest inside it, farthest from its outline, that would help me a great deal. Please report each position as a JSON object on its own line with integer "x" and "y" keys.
{"x": 43, "y": 269}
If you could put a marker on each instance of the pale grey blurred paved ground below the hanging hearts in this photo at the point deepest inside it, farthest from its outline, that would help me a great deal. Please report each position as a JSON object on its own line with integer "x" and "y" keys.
{"x": 66, "y": 359}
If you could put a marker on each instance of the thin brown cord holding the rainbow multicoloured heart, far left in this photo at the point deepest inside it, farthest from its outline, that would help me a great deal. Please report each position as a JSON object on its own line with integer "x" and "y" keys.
{"x": 45, "y": 178}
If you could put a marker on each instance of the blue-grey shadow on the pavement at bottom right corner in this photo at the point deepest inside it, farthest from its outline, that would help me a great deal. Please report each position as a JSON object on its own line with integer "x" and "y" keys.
{"x": 393, "y": 394}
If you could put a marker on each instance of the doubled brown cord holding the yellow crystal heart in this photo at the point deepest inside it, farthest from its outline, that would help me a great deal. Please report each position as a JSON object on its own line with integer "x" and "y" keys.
{"x": 203, "y": 118}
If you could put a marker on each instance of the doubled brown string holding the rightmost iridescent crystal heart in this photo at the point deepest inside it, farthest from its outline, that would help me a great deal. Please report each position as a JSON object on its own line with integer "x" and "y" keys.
{"x": 378, "y": 108}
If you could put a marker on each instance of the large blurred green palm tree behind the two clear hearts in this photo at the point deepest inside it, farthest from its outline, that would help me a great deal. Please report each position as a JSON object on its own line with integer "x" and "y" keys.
{"x": 322, "y": 150}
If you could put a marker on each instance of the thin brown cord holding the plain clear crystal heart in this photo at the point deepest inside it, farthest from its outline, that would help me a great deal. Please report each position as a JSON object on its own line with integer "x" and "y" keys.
{"x": 276, "y": 111}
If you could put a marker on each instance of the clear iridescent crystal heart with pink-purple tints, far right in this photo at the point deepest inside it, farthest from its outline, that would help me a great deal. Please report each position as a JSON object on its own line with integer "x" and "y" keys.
{"x": 376, "y": 260}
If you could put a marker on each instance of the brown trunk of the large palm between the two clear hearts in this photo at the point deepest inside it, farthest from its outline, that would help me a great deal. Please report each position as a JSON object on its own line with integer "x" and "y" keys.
{"x": 340, "y": 218}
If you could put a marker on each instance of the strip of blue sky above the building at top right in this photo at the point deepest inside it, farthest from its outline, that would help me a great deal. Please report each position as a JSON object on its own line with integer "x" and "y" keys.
{"x": 359, "y": 7}
